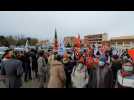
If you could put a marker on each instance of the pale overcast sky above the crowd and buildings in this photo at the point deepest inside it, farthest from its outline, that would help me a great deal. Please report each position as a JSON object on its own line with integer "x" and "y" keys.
{"x": 41, "y": 24}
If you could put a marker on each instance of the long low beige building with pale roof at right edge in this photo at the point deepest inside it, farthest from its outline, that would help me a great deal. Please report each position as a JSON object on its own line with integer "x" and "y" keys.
{"x": 125, "y": 42}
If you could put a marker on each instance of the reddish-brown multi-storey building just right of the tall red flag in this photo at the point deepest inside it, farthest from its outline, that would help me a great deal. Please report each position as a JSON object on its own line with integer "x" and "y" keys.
{"x": 95, "y": 38}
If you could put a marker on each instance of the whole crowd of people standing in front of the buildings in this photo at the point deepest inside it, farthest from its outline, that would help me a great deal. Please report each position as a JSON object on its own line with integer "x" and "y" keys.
{"x": 90, "y": 68}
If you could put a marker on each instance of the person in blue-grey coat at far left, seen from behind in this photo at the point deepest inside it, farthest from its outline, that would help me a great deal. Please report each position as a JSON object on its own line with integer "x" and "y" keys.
{"x": 12, "y": 70}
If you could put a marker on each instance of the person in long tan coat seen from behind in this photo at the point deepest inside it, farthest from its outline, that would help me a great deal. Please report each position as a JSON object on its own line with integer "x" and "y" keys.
{"x": 57, "y": 74}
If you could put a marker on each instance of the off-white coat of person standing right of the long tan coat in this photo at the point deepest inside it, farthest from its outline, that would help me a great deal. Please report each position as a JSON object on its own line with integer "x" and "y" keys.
{"x": 79, "y": 76}
